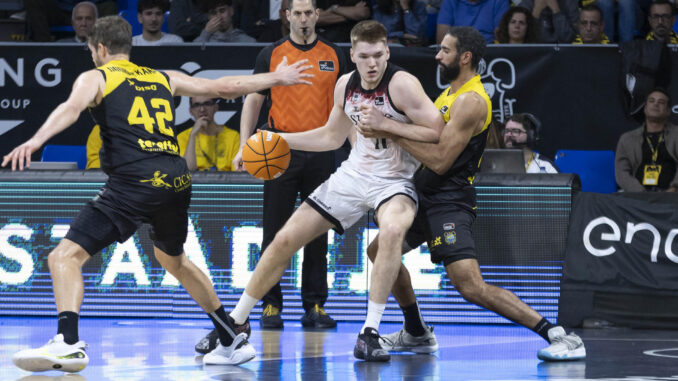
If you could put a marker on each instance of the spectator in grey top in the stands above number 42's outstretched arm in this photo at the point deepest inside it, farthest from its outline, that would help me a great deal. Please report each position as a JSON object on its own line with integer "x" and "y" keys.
{"x": 219, "y": 27}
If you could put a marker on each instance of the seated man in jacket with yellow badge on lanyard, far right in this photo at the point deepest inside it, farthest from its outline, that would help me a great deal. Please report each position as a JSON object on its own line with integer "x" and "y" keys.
{"x": 646, "y": 157}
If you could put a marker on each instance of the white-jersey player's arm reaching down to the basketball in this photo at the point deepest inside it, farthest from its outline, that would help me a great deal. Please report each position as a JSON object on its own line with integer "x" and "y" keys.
{"x": 330, "y": 136}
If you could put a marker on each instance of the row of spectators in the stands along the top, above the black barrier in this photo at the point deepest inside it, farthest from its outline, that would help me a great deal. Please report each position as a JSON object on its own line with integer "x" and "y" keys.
{"x": 409, "y": 22}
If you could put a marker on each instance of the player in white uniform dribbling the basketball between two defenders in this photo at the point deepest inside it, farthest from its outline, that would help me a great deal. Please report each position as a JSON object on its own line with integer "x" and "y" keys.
{"x": 377, "y": 174}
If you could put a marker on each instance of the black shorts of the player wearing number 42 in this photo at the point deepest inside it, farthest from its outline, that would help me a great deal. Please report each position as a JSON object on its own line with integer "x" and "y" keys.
{"x": 157, "y": 192}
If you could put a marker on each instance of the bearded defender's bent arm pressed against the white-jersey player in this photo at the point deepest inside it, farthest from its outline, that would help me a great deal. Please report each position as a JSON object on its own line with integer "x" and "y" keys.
{"x": 467, "y": 118}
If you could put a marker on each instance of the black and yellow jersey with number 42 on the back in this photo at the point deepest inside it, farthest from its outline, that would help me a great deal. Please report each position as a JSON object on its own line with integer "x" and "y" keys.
{"x": 136, "y": 115}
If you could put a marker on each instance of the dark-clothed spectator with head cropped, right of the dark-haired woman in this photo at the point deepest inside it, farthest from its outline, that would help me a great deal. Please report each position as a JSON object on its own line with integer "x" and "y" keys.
{"x": 557, "y": 18}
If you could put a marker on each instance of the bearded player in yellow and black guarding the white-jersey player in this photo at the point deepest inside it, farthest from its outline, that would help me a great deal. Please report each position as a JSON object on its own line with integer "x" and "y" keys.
{"x": 447, "y": 206}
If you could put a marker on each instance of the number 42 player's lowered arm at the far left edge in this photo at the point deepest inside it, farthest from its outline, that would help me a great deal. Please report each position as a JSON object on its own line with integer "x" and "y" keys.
{"x": 85, "y": 92}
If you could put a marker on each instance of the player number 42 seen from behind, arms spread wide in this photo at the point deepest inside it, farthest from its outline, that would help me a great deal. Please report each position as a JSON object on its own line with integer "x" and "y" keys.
{"x": 148, "y": 182}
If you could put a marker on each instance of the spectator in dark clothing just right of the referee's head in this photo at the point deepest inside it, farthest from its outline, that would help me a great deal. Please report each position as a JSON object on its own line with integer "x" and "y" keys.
{"x": 337, "y": 17}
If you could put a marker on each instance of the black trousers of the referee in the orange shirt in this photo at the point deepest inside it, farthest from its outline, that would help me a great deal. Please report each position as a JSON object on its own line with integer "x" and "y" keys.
{"x": 307, "y": 170}
